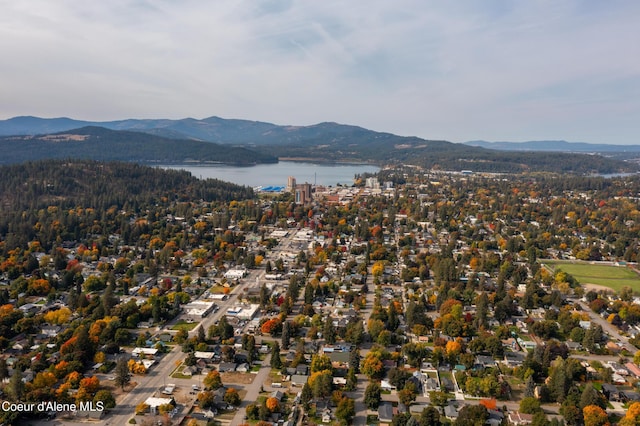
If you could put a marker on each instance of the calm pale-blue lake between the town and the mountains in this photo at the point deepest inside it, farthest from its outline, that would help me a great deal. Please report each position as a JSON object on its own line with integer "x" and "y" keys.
{"x": 276, "y": 174}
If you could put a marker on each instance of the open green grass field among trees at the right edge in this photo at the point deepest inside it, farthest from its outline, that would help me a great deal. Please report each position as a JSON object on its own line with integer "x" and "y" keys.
{"x": 614, "y": 277}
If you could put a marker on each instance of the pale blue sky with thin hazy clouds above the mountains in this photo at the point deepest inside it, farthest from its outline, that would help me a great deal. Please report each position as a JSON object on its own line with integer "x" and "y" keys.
{"x": 463, "y": 70}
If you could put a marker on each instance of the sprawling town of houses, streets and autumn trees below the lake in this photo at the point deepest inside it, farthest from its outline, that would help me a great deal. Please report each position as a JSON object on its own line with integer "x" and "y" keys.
{"x": 410, "y": 297}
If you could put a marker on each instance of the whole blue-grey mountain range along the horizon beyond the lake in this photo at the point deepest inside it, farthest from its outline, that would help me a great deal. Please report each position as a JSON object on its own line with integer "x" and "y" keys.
{"x": 245, "y": 142}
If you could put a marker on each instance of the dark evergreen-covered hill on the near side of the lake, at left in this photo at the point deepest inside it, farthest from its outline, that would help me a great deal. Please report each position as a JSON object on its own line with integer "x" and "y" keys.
{"x": 35, "y": 196}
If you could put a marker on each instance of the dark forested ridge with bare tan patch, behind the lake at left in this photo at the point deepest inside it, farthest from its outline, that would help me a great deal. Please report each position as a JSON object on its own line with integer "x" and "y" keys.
{"x": 101, "y": 144}
